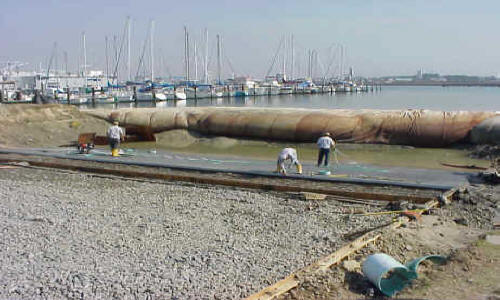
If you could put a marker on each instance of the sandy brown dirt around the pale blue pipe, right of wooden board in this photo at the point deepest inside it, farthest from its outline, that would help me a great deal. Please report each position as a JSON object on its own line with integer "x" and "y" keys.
{"x": 472, "y": 270}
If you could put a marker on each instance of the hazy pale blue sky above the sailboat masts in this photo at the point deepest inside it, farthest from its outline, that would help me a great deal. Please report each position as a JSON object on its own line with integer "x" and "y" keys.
{"x": 379, "y": 37}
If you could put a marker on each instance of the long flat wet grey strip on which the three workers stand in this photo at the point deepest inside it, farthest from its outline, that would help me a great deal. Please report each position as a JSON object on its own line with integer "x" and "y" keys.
{"x": 340, "y": 172}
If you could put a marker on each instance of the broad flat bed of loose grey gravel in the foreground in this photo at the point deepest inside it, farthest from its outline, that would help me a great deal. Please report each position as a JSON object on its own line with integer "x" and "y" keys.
{"x": 80, "y": 236}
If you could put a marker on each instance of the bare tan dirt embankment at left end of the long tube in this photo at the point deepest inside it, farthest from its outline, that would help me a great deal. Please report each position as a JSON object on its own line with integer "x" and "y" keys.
{"x": 25, "y": 125}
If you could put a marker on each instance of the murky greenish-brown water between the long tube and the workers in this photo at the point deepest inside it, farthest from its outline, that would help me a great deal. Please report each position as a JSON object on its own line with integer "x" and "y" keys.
{"x": 379, "y": 155}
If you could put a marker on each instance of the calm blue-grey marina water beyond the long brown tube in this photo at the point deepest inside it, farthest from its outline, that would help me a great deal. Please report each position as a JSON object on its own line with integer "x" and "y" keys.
{"x": 434, "y": 98}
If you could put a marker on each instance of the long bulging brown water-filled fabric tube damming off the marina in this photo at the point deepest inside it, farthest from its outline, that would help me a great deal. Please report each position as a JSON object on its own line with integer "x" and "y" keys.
{"x": 402, "y": 127}
